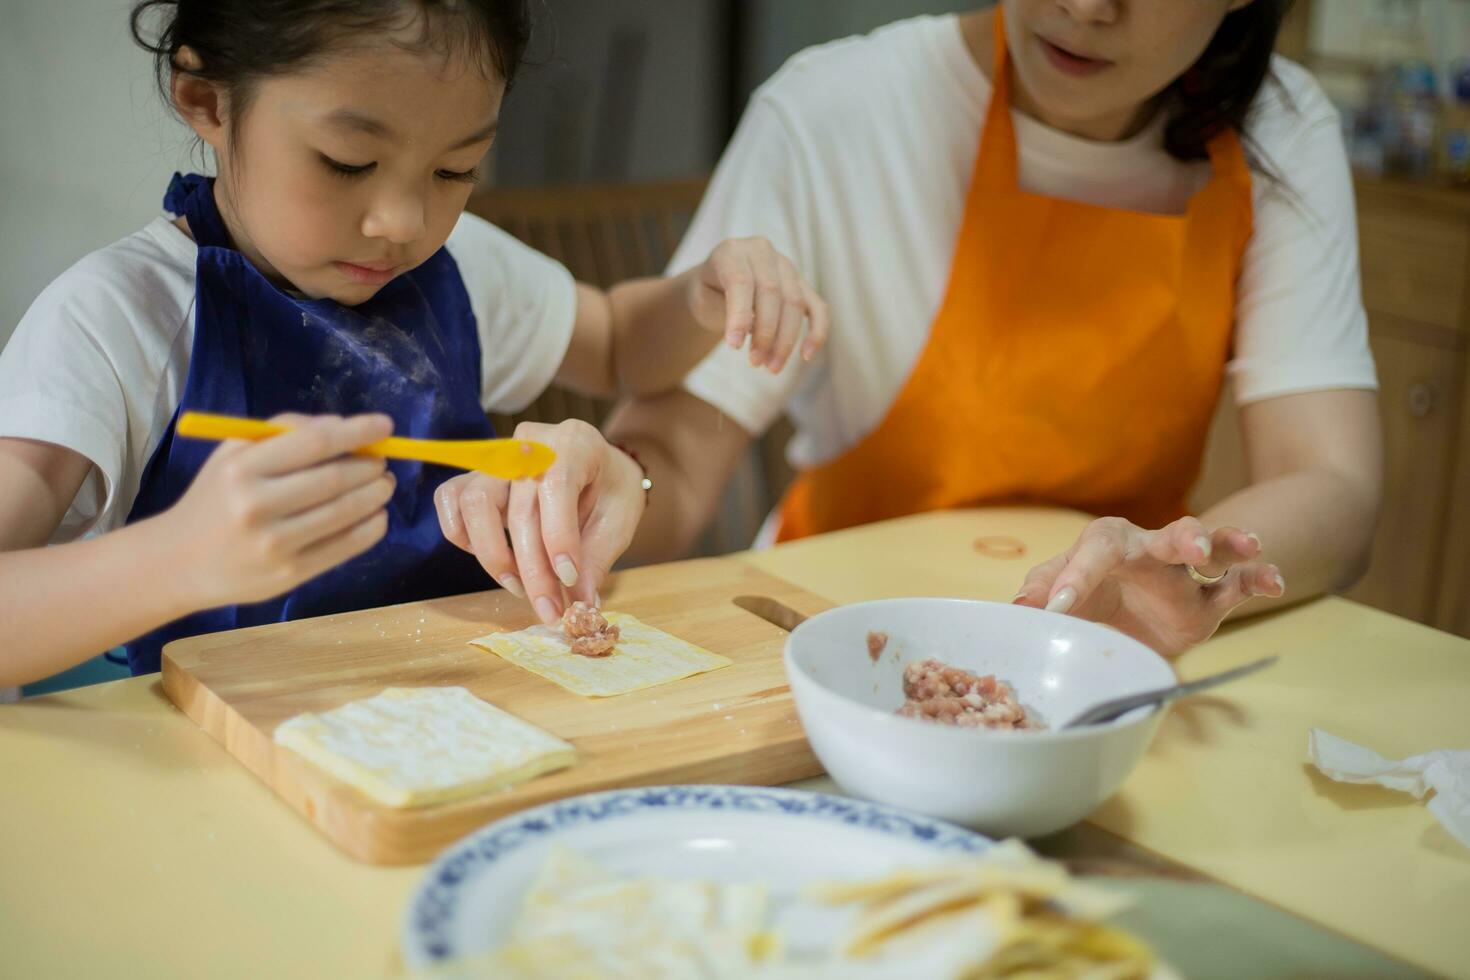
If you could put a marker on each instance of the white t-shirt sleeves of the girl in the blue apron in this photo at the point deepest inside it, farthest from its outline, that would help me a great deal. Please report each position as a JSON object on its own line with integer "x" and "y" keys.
{"x": 101, "y": 359}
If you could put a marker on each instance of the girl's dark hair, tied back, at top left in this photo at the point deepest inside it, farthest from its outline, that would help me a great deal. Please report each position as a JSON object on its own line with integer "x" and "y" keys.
{"x": 242, "y": 42}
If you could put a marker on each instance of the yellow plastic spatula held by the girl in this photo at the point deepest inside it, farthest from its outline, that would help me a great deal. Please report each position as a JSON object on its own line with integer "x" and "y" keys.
{"x": 508, "y": 459}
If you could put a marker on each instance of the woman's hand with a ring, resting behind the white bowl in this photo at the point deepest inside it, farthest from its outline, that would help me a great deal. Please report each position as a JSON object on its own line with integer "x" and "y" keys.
{"x": 1137, "y": 581}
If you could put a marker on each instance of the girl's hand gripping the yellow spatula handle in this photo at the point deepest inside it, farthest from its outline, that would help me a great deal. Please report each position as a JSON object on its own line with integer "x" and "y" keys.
{"x": 262, "y": 518}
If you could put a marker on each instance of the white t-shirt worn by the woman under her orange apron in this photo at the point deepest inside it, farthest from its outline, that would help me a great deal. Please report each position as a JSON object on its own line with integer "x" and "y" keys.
{"x": 856, "y": 158}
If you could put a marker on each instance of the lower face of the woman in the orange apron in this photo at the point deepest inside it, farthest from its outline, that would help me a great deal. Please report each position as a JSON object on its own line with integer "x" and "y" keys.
{"x": 1094, "y": 67}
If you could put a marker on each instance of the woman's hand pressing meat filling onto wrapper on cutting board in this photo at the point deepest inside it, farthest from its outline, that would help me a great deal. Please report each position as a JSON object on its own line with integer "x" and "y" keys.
{"x": 565, "y": 530}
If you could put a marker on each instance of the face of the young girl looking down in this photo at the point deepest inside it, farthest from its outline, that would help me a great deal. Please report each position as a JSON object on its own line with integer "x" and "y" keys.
{"x": 355, "y": 171}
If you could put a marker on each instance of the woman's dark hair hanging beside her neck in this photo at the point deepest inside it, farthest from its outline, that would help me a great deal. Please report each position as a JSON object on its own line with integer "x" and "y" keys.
{"x": 1218, "y": 92}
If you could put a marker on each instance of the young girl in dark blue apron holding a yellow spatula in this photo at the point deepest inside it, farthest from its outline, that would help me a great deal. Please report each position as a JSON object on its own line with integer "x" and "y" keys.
{"x": 329, "y": 278}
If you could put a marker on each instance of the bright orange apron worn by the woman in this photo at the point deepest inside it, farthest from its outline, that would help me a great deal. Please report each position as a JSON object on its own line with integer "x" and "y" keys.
{"x": 1077, "y": 358}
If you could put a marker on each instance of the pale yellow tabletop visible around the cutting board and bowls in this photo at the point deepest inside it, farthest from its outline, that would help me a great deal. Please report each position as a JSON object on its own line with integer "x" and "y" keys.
{"x": 133, "y": 846}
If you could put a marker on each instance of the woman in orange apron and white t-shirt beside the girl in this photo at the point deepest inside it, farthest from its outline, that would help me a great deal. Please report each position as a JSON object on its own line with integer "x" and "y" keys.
{"x": 1047, "y": 233}
